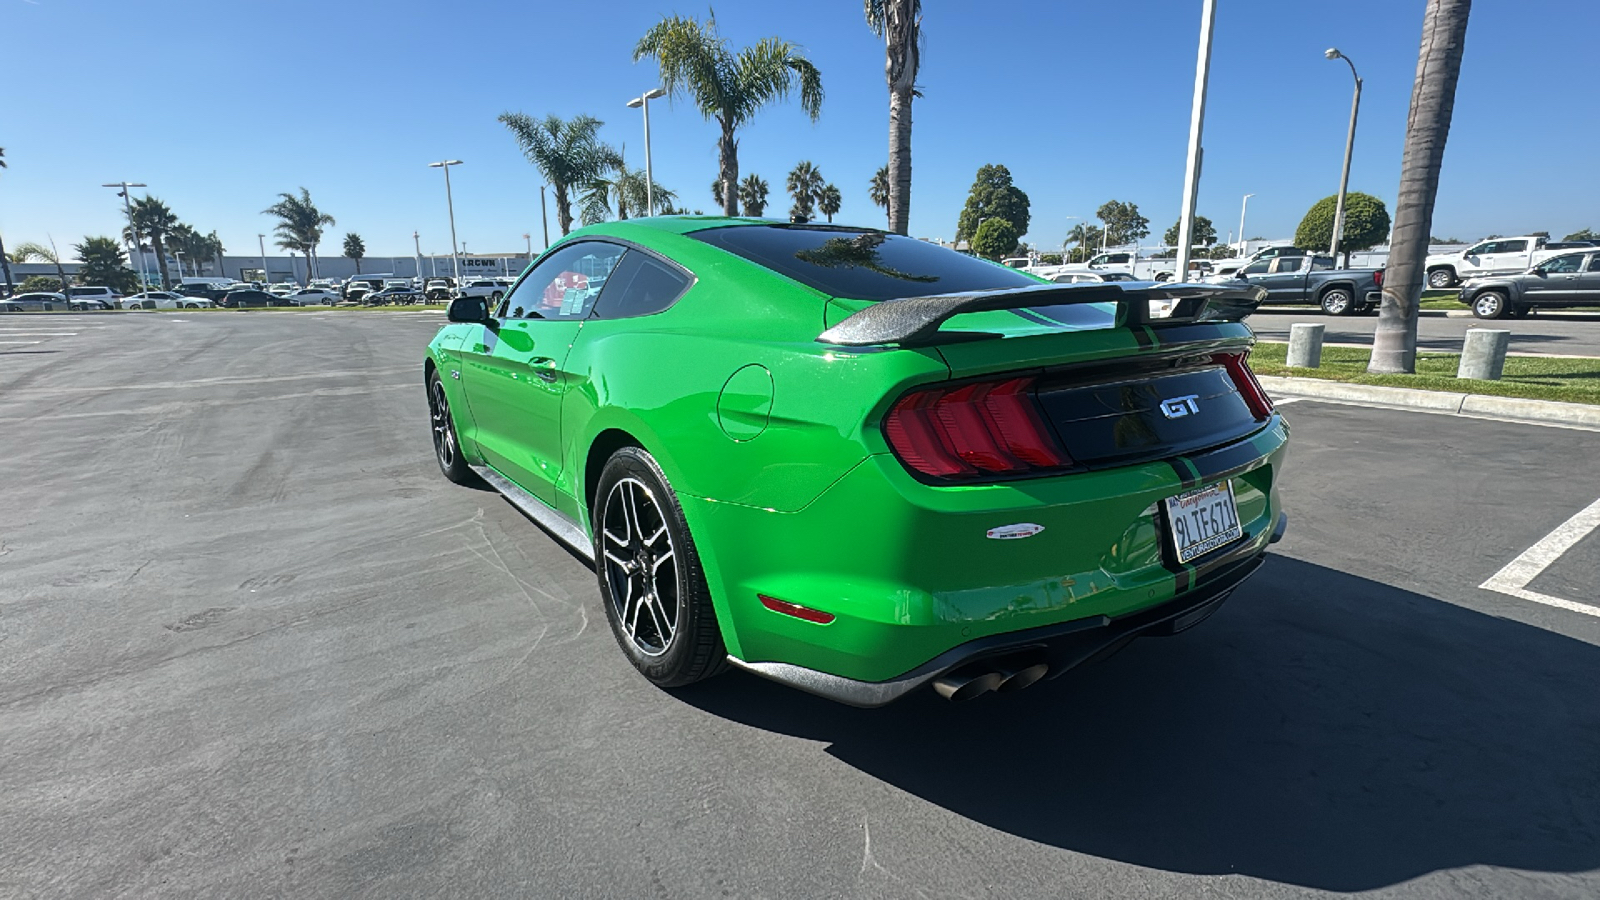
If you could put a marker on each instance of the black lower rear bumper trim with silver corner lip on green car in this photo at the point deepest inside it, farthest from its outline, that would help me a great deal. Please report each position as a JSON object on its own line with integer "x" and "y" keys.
{"x": 1063, "y": 648}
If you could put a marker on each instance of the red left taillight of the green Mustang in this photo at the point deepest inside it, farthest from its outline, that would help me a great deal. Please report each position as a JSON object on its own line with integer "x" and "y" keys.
{"x": 974, "y": 430}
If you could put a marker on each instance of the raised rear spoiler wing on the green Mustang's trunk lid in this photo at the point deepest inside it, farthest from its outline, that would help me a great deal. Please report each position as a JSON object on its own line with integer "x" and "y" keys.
{"x": 916, "y": 321}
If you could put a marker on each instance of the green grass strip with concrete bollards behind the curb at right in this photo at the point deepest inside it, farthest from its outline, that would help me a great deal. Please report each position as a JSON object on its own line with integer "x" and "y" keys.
{"x": 1534, "y": 379}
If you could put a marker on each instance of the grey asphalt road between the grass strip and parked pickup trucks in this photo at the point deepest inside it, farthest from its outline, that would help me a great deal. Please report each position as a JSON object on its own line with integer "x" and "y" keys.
{"x": 1564, "y": 334}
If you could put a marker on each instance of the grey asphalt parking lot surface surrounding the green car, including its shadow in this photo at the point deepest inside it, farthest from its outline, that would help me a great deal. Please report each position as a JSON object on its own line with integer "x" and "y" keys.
{"x": 254, "y": 645}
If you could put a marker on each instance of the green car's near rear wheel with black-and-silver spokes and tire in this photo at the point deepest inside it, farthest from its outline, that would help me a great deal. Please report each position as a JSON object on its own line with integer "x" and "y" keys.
{"x": 671, "y": 640}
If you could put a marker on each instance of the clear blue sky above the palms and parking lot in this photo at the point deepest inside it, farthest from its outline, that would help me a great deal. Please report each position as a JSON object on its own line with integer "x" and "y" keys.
{"x": 222, "y": 106}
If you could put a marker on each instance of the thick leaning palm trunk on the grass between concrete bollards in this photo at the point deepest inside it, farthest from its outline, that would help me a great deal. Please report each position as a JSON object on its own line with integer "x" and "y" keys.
{"x": 1428, "y": 127}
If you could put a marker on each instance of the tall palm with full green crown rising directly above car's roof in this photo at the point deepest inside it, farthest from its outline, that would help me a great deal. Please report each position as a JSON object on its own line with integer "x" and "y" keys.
{"x": 729, "y": 89}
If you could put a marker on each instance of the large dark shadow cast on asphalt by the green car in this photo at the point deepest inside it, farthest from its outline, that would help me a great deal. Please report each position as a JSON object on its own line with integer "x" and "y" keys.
{"x": 1321, "y": 731}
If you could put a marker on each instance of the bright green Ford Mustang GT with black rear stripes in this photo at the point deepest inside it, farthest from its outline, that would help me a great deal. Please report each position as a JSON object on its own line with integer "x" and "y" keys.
{"x": 862, "y": 464}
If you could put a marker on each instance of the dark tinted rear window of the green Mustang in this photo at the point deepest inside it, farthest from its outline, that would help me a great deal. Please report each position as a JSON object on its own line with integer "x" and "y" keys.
{"x": 862, "y": 265}
